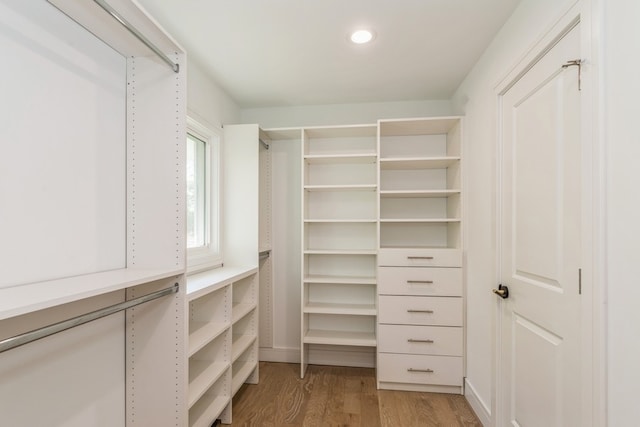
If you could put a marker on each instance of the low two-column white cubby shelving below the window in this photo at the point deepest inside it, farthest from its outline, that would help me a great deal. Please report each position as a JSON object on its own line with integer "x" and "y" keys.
{"x": 222, "y": 345}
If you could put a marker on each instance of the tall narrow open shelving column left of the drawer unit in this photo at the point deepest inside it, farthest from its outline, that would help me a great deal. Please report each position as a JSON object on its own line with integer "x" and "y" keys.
{"x": 339, "y": 238}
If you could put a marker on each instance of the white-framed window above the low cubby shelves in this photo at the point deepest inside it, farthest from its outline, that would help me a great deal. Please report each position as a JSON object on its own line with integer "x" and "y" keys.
{"x": 203, "y": 197}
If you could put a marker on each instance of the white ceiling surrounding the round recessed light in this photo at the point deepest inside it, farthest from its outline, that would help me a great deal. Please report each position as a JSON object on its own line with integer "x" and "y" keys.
{"x": 267, "y": 53}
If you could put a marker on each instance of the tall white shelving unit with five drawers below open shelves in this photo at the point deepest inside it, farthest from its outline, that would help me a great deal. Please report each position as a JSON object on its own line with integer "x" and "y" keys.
{"x": 420, "y": 292}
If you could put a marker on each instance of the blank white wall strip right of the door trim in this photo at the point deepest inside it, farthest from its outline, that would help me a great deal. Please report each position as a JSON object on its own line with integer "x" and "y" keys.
{"x": 621, "y": 92}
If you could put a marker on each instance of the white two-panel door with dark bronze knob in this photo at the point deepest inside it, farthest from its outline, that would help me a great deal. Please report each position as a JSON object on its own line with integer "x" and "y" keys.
{"x": 540, "y": 226}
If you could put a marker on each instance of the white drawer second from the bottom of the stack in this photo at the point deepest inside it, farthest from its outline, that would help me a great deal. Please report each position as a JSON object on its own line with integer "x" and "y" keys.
{"x": 434, "y": 340}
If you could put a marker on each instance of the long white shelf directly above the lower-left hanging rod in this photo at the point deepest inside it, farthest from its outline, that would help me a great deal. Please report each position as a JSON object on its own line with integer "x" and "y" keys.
{"x": 22, "y": 299}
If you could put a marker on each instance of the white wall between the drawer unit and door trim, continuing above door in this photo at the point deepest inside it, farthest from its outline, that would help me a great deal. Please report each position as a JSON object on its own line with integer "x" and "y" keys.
{"x": 476, "y": 99}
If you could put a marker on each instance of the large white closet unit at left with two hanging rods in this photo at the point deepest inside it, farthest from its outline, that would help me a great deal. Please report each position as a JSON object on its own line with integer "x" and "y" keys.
{"x": 127, "y": 119}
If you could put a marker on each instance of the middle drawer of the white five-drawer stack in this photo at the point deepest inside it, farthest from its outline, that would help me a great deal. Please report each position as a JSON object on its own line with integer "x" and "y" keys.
{"x": 406, "y": 310}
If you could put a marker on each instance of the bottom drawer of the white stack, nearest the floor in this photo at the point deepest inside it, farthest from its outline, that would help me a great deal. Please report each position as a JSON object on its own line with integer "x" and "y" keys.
{"x": 415, "y": 369}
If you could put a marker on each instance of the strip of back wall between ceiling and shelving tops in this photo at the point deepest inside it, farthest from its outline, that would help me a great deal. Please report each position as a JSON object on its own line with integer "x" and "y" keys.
{"x": 343, "y": 114}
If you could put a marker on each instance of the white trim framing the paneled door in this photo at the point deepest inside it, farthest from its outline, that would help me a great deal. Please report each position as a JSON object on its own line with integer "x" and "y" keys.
{"x": 593, "y": 384}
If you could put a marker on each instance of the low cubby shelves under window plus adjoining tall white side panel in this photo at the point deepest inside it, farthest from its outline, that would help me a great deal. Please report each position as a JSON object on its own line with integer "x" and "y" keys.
{"x": 223, "y": 302}
